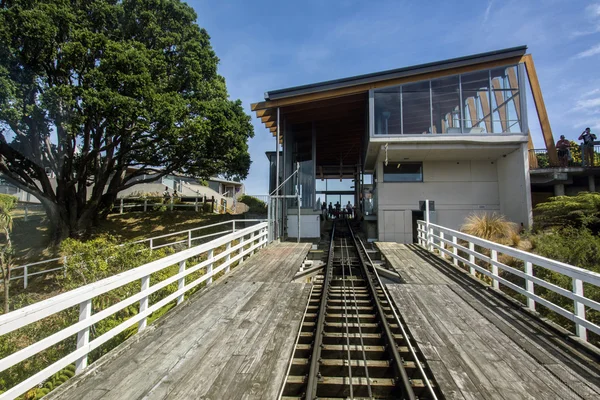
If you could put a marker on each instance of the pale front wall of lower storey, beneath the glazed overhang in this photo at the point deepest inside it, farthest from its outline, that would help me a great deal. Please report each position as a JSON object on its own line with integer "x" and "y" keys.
{"x": 457, "y": 187}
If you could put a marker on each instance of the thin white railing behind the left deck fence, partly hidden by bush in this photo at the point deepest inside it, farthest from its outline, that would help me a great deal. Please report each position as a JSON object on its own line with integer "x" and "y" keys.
{"x": 60, "y": 263}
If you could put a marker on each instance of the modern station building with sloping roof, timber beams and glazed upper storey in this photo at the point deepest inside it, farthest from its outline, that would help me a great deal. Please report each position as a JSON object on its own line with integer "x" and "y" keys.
{"x": 454, "y": 132}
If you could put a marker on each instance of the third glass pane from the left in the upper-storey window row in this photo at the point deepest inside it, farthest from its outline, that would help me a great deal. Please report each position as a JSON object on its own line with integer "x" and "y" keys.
{"x": 446, "y": 105}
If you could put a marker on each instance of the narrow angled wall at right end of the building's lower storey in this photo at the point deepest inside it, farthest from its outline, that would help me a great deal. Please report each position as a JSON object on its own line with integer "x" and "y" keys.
{"x": 515, "y": 186}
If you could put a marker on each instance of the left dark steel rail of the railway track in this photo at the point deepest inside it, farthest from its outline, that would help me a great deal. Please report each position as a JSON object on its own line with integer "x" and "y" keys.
{"x": 313, "y": 374}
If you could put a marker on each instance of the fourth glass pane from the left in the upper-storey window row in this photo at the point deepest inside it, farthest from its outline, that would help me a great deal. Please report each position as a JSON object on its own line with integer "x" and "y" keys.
{"x": 476, "y": 102}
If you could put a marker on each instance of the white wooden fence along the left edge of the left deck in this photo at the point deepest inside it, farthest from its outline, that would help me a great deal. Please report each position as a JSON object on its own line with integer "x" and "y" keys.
{"x": 255, "y": 237}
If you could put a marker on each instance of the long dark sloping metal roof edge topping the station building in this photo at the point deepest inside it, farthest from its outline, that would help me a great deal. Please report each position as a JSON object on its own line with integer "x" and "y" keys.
{"x": 397, "y": 73}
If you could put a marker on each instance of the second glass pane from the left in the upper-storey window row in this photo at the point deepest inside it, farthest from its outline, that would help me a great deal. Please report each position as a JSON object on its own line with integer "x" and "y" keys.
{"x": 416, "y": 108}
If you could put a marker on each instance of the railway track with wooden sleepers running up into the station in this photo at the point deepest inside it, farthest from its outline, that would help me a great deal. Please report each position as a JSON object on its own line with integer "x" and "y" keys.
{"x": 352, "y": 344}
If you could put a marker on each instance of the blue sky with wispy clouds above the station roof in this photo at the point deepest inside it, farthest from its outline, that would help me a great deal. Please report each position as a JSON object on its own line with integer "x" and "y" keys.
{"x": 266, "y": 45}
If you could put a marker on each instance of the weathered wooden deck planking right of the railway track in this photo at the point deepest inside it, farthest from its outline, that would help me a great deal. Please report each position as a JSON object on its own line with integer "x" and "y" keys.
{"x": 479, "y": 346}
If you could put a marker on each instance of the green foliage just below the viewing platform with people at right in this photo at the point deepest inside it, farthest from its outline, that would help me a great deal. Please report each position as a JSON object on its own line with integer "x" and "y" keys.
{"x": 581, "y": 211}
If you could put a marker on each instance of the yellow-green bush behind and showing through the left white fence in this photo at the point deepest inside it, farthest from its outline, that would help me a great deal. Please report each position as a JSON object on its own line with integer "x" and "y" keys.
{"x": 87, "y": 262}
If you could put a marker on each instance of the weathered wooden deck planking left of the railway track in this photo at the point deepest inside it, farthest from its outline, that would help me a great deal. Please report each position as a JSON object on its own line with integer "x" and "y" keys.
{"x": 232, "y": 340}
